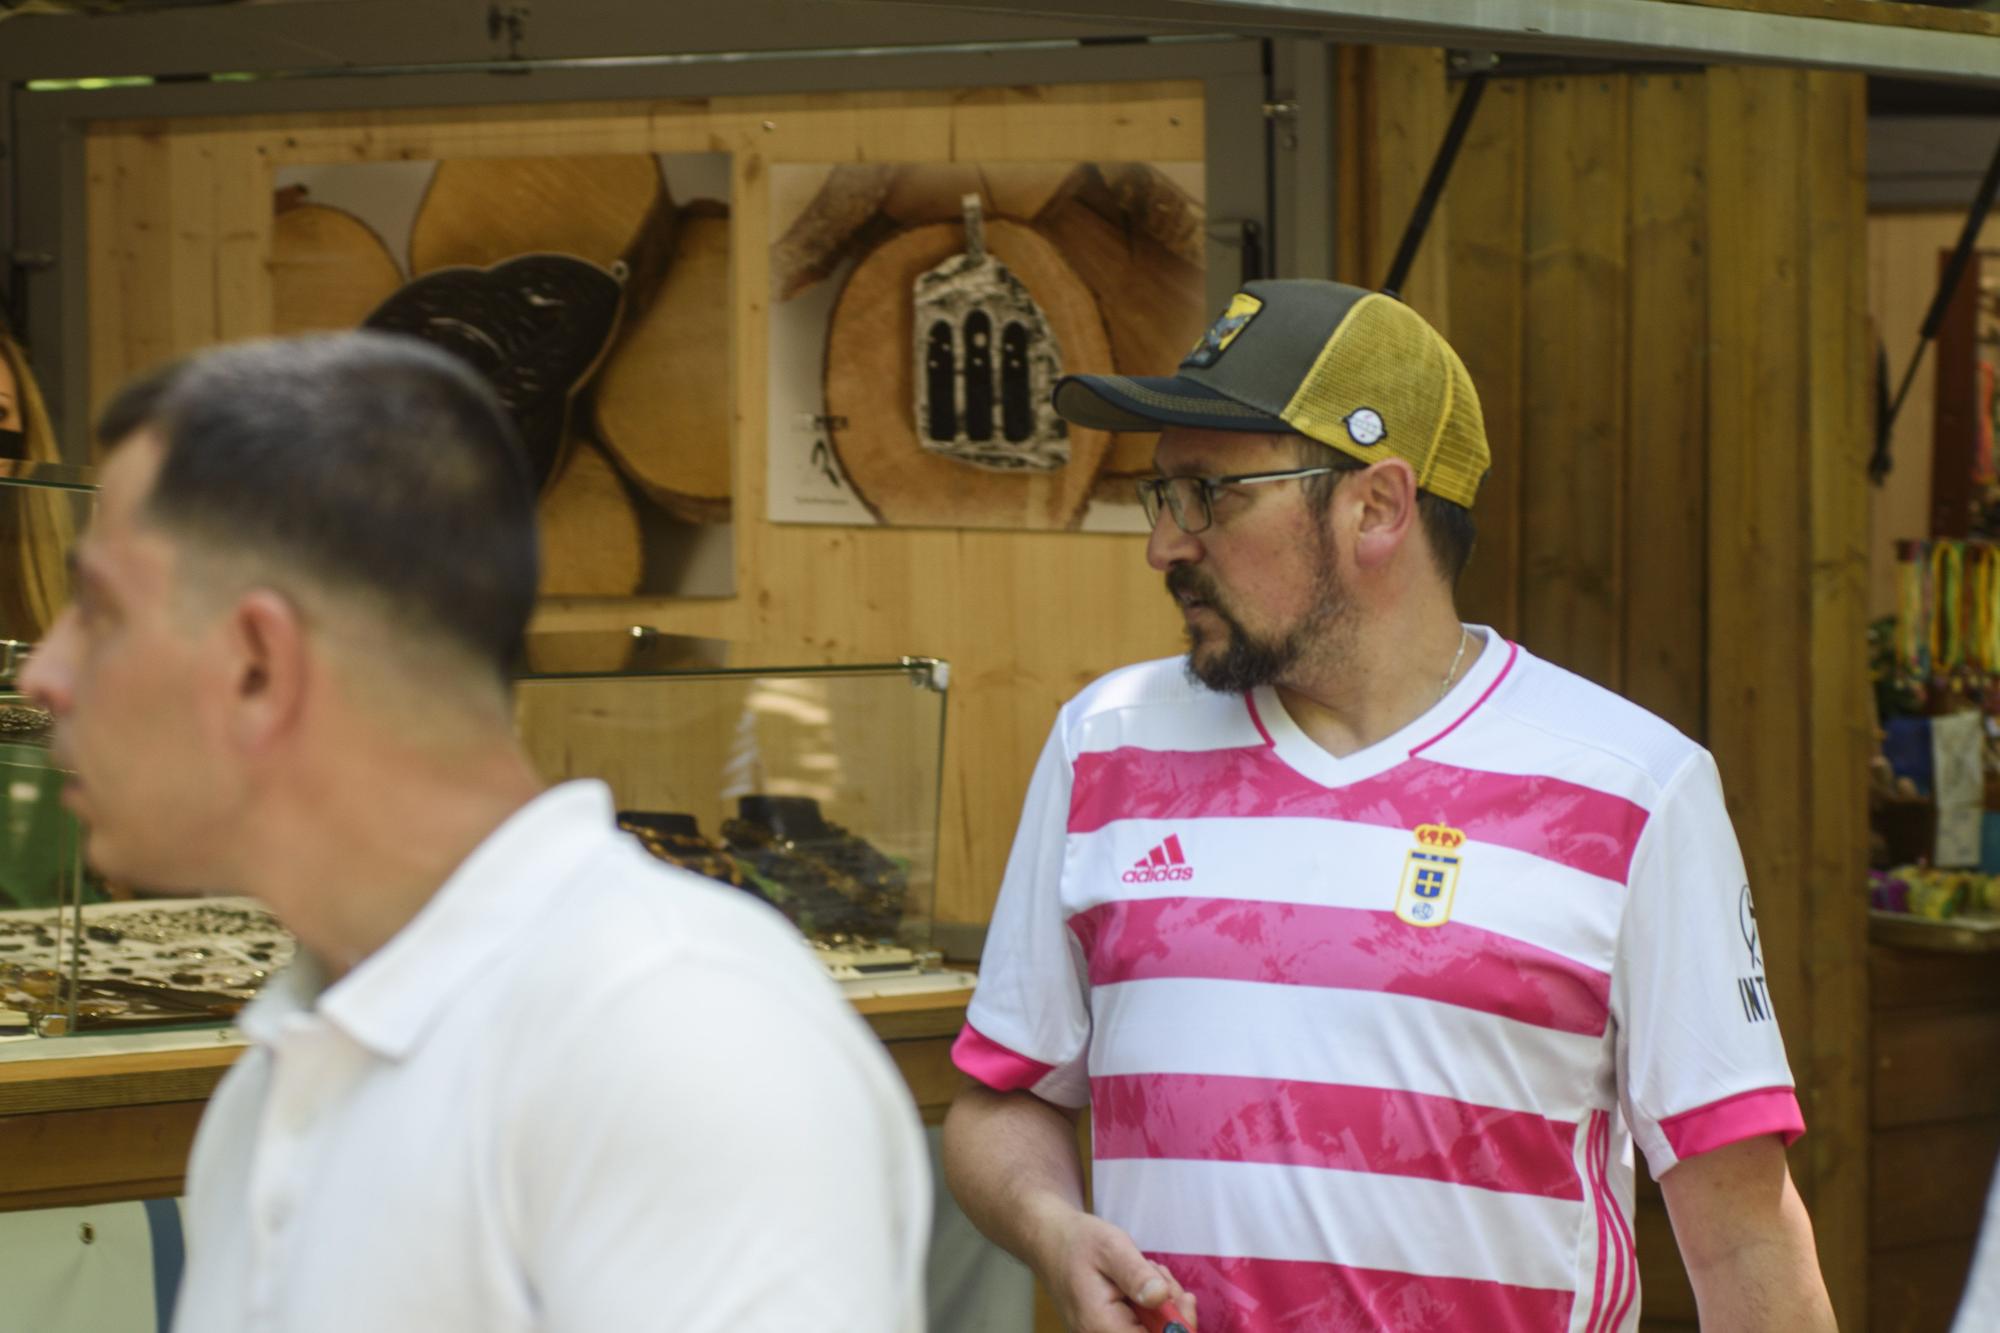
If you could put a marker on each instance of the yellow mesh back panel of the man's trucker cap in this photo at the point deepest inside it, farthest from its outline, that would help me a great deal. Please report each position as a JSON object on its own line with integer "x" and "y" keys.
{"x": 1387, "y": 385}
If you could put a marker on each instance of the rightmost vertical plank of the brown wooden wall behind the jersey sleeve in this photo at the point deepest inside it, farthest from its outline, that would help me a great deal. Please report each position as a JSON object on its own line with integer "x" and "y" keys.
{"x": 1831, "y": 459}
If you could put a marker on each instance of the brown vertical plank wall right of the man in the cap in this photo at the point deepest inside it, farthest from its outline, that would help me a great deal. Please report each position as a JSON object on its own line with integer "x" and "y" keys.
{"x": 1659, "y": 285}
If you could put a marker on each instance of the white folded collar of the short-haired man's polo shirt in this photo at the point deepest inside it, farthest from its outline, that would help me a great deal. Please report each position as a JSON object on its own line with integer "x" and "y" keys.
{"x": 399, "y": 992}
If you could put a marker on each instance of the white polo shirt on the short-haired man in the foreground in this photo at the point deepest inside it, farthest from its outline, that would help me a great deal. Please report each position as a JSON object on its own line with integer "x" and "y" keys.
{"x": 579, "y": 1092}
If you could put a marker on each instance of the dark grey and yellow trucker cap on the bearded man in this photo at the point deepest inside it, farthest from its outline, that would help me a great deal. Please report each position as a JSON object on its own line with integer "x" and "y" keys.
{"x": 1351, "y": 369}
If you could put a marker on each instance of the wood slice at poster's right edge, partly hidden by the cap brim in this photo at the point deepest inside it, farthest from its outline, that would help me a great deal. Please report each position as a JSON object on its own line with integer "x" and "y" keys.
{"x": 1151, "y": 301}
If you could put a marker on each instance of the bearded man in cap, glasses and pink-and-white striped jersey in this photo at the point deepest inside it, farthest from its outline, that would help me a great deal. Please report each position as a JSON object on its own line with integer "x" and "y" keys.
{"x": 1379, "y": 948}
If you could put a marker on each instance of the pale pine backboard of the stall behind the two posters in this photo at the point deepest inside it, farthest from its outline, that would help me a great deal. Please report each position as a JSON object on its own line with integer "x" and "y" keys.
{"x": 179, "y": 245}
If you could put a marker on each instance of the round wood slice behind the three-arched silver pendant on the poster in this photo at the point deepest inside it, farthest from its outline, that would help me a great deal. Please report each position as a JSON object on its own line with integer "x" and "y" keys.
{"x": 869, "y": 353}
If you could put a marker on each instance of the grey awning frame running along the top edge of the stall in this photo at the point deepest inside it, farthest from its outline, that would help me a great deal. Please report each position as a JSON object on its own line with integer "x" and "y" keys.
{"x": 349, "y": 35}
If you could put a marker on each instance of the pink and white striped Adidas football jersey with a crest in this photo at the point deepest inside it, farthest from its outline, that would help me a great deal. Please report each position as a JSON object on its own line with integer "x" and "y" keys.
{"x": 1369, "y": 1042}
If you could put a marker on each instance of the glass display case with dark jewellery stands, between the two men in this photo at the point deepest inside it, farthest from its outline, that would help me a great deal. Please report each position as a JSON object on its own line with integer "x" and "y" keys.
{"x": 809, "y": 788}
